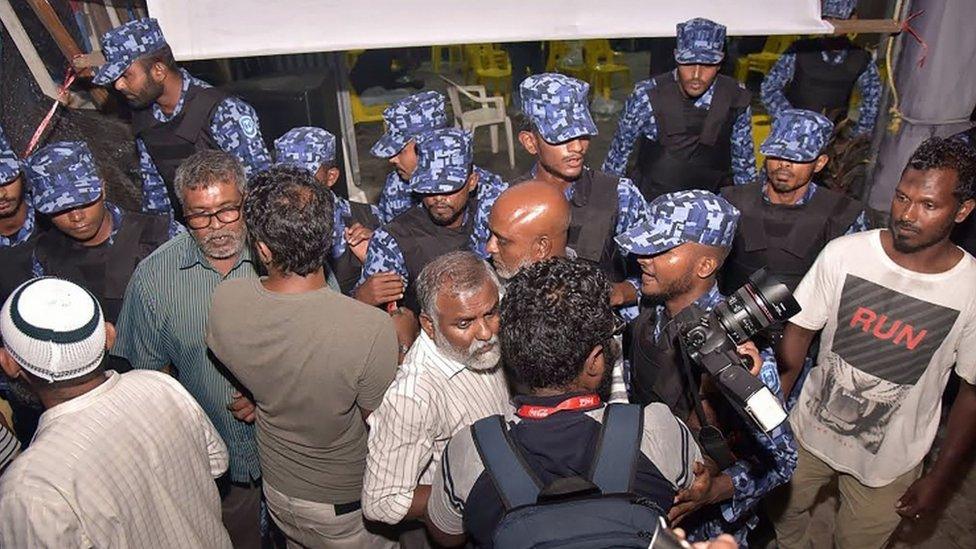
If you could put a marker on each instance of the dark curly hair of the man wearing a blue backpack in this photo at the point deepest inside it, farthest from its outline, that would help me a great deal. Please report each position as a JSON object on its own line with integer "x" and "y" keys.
{"x": 554, "y": 313}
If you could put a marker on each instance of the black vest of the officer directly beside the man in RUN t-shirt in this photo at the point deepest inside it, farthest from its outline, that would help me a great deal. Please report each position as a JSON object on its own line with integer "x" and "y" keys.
{"x": 784, "y": 238}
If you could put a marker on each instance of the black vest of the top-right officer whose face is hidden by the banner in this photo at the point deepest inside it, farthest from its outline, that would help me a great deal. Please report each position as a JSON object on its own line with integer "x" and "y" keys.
{"x": 819, "y": 86}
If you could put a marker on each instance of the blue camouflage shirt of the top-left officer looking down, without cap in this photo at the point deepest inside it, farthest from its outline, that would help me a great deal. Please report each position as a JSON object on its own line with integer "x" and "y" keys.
{"x": 234, "y": 127}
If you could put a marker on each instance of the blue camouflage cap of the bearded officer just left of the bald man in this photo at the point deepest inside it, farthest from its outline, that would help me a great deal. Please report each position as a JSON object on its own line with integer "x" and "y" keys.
{"x": 443, "y": 161}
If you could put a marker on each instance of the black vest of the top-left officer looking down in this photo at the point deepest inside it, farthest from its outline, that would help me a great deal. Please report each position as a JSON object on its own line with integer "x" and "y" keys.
{"x": 169, "y": 143}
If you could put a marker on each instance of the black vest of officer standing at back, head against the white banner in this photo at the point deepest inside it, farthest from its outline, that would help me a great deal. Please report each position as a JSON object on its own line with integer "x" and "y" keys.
{"x": 694, "y": 146}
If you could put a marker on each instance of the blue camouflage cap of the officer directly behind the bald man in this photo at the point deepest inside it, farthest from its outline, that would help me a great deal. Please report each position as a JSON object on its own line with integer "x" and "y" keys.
{"x": 558, "y": 106}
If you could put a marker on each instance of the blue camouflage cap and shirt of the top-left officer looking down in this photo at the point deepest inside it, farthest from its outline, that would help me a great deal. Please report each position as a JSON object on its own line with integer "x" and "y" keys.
{"x": 234, "y": 124}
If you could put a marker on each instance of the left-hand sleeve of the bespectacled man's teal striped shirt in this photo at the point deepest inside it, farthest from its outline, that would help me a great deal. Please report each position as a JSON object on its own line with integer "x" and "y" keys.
{"x": 139, "y": 329}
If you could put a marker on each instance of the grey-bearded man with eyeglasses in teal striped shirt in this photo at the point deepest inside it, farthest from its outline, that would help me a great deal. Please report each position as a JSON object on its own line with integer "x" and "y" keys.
{"x": 164, "y": 318}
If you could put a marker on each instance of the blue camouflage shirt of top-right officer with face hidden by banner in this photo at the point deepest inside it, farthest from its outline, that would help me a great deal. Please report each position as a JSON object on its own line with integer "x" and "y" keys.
{"x": 773, "y": 91}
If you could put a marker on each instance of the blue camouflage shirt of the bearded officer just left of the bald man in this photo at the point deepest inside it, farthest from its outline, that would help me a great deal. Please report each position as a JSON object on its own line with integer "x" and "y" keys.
{"x": 384, "y": 253}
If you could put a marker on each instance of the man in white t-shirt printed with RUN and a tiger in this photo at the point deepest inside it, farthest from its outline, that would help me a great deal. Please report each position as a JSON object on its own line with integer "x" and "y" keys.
{"x": 897, "y": 307}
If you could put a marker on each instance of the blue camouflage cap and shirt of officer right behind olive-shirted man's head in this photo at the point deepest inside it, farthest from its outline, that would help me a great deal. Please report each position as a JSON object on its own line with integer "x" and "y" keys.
{"x": 311, "y": 148}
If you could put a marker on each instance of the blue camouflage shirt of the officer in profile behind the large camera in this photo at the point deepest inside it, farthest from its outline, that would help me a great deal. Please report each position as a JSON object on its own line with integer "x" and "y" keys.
{"x": 765, "y": 461}
